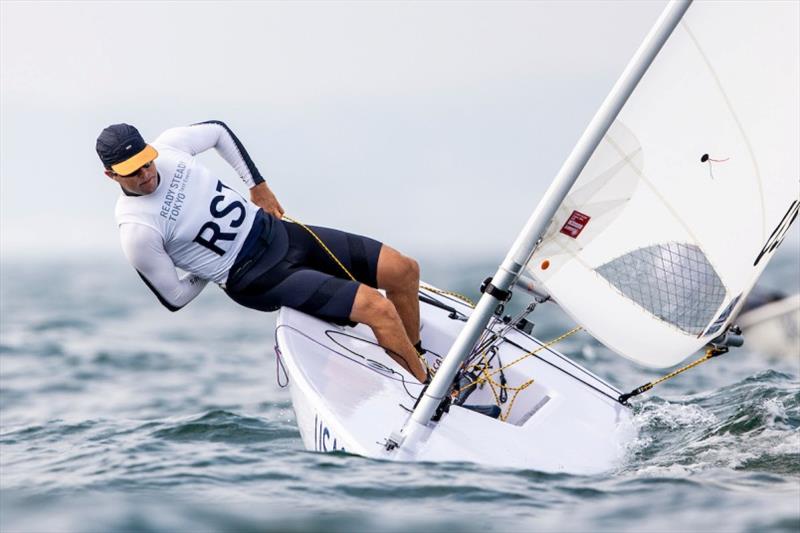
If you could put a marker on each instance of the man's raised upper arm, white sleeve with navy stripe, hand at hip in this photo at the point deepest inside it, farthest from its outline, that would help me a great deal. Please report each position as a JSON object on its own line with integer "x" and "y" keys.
{"x": 203, "y": 136}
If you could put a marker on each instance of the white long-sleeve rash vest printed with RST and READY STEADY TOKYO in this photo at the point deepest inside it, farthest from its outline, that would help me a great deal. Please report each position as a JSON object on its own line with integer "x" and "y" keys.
{"x": 192, "y": 220}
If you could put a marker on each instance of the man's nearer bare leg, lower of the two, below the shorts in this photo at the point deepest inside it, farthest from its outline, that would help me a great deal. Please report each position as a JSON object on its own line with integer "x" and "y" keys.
{"x": 380, "y": 314}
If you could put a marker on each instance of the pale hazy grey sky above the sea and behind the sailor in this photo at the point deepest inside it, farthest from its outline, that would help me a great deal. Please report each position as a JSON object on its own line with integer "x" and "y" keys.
{"x": 434, "y": 127}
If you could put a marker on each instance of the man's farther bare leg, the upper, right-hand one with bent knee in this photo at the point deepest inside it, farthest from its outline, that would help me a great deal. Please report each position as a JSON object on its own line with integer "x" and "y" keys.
{"x": 399, "y": 275}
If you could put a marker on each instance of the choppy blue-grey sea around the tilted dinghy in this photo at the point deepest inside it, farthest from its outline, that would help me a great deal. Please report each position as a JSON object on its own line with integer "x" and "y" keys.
{"x": 117, "y": 415}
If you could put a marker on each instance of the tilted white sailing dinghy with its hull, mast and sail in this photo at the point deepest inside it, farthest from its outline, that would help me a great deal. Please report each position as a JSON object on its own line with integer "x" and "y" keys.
{"x": 650, "y": 237}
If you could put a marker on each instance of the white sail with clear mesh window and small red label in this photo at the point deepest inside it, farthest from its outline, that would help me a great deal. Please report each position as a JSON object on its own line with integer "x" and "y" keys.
{"x": 684, "y": 201}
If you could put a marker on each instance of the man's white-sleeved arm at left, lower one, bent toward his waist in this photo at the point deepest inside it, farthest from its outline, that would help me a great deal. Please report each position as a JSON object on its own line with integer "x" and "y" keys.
{"x": 145, "y": 251}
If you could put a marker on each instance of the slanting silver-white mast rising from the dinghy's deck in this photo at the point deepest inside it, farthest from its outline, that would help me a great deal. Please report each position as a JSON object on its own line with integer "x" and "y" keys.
{"x": 526, "y": 242}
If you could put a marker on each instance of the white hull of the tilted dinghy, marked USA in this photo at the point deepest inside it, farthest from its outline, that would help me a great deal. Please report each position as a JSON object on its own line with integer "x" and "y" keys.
{"x": 348, "y": 395}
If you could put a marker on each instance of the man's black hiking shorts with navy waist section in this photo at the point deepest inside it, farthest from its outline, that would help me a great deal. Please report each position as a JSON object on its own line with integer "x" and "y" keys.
{"x": 282, "y": 264}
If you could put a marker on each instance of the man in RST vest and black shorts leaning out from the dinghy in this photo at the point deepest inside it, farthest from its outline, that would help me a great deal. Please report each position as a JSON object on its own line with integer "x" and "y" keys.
{"x": 173, "y": 213}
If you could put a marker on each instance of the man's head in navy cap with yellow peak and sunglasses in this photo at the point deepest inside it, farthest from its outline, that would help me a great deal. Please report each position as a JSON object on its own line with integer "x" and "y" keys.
{"x": 128, "y": 159}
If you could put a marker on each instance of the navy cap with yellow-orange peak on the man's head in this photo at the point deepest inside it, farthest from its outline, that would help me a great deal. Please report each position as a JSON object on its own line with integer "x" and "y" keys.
{"x": 122, "y": 149}
